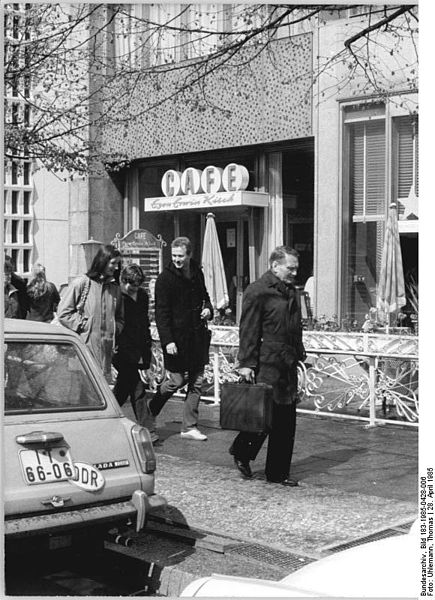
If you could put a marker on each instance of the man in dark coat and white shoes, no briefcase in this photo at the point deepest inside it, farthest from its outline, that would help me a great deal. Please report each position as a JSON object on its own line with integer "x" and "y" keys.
{"x": 182, "y": 307}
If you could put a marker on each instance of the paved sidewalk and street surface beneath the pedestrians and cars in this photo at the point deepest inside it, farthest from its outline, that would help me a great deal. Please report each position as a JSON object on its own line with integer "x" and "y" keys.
{"x": 356, "y": 484}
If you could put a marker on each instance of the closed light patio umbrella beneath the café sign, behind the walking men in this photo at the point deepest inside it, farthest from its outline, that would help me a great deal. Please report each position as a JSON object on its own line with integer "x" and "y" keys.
{"x": 213, "y": 266}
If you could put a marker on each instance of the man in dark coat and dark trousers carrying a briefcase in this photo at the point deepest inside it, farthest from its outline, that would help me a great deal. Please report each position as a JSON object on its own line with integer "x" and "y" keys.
{"x": 270, "y": 347}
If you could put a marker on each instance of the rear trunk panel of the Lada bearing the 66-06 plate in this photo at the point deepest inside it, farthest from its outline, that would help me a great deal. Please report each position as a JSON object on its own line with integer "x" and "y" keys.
{"x": 31, "y": 463}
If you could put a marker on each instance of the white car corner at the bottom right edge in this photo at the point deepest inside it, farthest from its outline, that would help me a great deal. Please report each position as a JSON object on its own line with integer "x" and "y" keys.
{"x": 383, "y": 568}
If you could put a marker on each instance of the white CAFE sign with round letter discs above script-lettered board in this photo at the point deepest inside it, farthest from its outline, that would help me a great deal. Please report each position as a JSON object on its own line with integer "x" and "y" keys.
{"x": 211, "y": 188}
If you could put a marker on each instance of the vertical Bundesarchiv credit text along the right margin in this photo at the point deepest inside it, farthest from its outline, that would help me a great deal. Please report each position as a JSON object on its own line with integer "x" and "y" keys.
{"x": 426, "y": 533}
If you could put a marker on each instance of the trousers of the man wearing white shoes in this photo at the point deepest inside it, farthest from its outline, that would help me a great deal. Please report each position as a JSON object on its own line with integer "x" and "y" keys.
{"x": 173, "y": 382}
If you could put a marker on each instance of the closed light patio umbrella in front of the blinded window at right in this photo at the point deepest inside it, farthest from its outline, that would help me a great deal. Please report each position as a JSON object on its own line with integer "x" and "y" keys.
{"x": 391, "y": 286}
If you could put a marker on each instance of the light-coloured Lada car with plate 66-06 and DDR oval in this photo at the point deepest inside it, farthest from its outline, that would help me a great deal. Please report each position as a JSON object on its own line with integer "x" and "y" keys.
{"x": 75, "y": 465}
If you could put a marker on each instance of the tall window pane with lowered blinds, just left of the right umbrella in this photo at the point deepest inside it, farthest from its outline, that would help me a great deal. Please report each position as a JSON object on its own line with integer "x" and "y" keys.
{"x": 364, "y": 210}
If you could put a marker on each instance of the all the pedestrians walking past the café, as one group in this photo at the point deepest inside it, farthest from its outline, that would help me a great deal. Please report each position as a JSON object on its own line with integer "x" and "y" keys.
{"x": 108, "y": 308}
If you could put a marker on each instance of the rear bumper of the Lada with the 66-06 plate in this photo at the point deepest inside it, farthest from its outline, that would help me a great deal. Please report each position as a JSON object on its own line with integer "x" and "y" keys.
{"x": 137, "y": 509}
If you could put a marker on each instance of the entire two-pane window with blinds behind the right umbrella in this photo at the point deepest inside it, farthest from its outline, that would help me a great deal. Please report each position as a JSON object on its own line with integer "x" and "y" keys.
{"x": 367, "y": 178}
